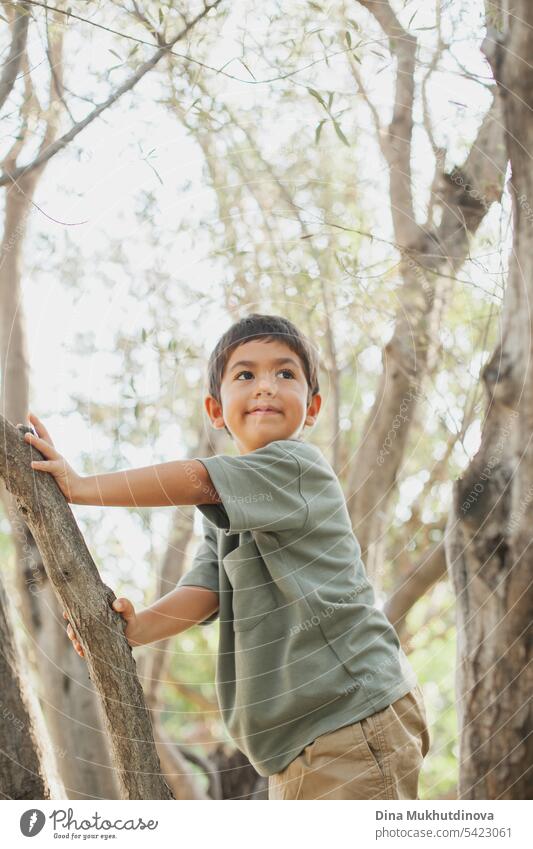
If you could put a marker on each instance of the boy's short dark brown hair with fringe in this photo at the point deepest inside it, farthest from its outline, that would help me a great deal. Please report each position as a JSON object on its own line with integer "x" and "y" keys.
{"x": 266, "y": 328}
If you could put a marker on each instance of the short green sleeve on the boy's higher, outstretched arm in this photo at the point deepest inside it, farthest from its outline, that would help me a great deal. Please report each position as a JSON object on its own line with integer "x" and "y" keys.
{"x": 259, "y": 491}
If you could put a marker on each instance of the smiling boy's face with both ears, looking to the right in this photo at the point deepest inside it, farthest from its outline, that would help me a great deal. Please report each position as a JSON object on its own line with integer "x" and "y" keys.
{"x": 263, "y": 381}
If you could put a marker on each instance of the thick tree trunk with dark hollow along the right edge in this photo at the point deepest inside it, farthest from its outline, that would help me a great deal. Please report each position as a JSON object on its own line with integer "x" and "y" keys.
{"x": 488, "y": 541}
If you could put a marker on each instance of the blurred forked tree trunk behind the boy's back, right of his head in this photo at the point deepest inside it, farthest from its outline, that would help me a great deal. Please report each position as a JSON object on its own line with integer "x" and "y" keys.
{"x": 465, "y": 196}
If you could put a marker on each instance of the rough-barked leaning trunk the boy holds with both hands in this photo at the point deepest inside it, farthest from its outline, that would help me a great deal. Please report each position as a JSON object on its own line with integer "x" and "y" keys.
{"x": 77, "y": 584}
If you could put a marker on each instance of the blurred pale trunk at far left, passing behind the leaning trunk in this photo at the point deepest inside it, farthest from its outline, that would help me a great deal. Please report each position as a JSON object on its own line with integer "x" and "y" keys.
{"x": 67, "y": 696}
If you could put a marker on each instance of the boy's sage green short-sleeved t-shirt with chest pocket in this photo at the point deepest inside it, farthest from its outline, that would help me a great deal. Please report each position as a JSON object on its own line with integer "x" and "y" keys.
{"x": 303, "y": 649}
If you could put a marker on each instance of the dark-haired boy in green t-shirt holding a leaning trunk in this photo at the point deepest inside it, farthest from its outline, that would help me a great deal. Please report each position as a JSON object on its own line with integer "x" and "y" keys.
{"x": 311, "y": 680}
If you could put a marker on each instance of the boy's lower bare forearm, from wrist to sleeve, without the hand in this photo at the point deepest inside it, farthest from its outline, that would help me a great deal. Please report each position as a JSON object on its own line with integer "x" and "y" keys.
{"x": 173, "y": 613}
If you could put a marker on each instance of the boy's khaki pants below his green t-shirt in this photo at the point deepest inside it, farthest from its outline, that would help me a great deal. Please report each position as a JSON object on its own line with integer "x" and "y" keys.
{"x": 377, "y": 758}
